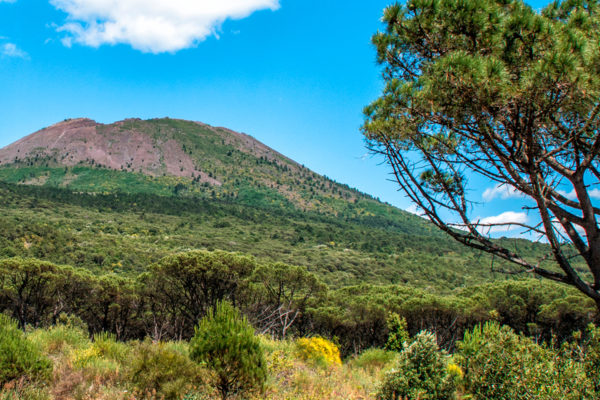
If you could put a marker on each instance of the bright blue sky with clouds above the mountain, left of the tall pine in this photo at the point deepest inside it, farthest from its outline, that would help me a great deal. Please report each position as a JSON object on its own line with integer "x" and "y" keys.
{"x": 295, "y": 74}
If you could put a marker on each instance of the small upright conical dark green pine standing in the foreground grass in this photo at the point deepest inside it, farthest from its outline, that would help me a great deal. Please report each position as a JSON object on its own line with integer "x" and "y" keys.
{"x": 225, "y": 342}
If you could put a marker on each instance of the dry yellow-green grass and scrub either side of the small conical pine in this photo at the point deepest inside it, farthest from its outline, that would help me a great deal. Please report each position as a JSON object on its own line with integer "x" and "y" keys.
{"x": 102, "y": 368}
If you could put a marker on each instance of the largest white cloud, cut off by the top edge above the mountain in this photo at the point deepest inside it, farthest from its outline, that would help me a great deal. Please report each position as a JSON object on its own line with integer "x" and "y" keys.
{"x": 153, "y": 26}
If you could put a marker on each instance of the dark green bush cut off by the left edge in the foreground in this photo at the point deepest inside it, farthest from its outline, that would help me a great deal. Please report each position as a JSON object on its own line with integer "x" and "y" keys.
{"x": 19, "y": 358}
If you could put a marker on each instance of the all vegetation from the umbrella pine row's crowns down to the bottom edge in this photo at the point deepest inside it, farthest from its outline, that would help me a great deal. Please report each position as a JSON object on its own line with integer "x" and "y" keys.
{"x": 90, "y": 336}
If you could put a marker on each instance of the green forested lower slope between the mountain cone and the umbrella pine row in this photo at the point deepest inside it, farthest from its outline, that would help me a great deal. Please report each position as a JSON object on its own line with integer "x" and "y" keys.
{"x": 124, "y": 233}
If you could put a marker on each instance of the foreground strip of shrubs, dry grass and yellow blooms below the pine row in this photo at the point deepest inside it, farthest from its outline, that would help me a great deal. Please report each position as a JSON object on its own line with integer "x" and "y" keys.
{"x": 491, "y": 362}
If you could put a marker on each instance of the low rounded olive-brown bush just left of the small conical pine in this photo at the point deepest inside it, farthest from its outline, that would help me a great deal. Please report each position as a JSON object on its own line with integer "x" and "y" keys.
{"x": 162, "y": 369}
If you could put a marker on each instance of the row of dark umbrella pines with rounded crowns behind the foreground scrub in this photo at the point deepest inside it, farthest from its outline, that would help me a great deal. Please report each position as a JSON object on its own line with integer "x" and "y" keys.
{"x": 167, "y": 300}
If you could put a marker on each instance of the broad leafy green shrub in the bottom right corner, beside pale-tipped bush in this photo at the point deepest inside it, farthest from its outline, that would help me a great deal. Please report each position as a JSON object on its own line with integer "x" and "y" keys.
{"x": 500, "y": 364}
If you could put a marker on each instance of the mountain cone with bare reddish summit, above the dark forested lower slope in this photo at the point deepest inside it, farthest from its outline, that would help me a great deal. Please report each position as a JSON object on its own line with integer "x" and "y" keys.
{"x": 188, "y": 159}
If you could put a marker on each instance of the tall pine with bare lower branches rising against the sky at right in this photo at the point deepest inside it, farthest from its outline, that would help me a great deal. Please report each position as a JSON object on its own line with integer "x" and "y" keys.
{"x": 493, "y": 89}
